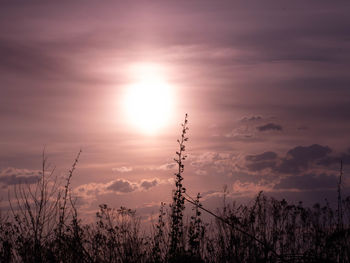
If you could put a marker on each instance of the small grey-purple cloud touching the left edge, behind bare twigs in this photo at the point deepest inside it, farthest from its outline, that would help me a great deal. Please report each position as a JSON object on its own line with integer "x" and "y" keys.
{"x": 12, "y": 176}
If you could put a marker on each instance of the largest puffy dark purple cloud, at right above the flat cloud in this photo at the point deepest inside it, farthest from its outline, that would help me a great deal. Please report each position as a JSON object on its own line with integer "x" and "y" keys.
{"x": 299, "y": 158}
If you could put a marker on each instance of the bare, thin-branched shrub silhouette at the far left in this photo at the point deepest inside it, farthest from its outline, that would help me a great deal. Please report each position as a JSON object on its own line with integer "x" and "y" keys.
{"x": 35, "y": 215}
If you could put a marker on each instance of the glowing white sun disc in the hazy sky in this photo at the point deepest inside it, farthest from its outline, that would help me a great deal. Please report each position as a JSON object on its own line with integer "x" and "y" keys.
{"x": 148, "y": 102}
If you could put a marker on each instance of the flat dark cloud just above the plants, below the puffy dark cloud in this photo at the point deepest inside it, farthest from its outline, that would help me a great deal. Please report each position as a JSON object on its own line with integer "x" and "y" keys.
{"x": 308, "y": 182}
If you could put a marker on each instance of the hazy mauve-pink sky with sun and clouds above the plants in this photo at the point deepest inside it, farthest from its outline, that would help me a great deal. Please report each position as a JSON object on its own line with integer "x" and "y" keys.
{"x": 265, "y": 85}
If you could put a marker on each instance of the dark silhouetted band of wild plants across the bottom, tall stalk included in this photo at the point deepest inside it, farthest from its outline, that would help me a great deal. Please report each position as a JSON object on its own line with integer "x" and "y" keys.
{"x": 43, "y": 225}
